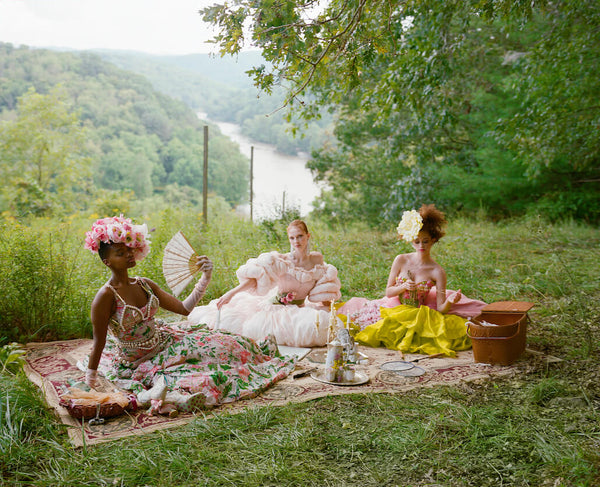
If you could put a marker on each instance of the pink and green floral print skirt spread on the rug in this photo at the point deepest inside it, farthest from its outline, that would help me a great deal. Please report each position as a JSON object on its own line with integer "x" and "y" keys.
{"x": 222, "y": 366}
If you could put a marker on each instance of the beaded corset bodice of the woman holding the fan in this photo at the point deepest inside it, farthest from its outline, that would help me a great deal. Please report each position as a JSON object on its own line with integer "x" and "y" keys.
{"x": 134, "y": 329}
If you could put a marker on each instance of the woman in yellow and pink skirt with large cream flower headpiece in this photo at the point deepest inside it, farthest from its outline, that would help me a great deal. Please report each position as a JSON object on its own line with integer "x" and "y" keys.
{"x": 418, "y": 314}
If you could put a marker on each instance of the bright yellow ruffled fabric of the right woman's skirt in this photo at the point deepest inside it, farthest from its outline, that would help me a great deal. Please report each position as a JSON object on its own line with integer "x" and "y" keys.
{"x": 417, "y": 330}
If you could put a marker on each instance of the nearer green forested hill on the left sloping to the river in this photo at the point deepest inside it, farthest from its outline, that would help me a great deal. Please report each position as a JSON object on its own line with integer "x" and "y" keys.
{"x": 115, "y": 131}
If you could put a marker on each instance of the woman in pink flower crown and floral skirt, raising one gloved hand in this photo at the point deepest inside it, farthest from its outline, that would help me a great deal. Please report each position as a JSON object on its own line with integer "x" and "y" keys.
{"x": 169, "y": 367}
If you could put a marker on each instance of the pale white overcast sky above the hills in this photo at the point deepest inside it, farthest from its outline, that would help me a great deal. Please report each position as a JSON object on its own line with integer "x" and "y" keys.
{"x": 152, "y": 26}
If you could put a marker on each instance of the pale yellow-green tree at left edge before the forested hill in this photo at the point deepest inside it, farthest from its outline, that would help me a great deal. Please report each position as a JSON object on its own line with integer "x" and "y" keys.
{"x": 45, "y": 162}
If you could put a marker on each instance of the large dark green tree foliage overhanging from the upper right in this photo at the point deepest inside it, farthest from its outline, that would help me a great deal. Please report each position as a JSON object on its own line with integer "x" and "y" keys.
{"x": 470, "y": 104}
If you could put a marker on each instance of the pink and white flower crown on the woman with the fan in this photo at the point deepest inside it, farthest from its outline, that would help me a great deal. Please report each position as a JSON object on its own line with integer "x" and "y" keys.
{"x": 117, "y": 229}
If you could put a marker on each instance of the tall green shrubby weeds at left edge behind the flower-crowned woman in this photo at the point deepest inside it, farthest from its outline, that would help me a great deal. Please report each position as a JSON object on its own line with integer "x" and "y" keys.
{"x": 40, "y": 277}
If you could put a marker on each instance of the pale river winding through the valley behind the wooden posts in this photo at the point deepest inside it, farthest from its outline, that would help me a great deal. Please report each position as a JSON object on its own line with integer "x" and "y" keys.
{"x": 279, "y": 179}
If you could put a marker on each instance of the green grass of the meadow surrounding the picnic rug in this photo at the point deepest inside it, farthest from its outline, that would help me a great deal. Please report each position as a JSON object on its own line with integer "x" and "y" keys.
{"x": 540, "y": 428}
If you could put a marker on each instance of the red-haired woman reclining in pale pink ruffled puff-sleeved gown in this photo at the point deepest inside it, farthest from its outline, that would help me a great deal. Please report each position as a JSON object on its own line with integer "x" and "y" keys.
{"x": 284, "y": 295}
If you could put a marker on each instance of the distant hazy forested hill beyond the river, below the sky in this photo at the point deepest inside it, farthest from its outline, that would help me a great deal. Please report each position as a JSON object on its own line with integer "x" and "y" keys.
{"x": 221, "y": 88}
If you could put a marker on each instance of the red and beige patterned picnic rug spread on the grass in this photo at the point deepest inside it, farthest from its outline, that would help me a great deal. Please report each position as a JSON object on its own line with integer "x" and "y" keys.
{"x": 52, "y": 365}
